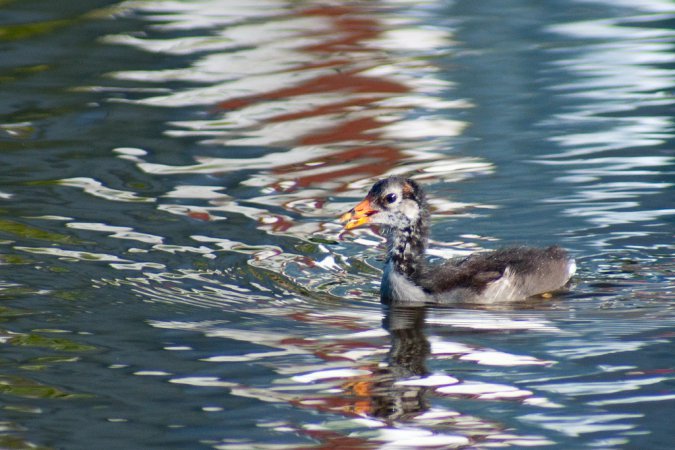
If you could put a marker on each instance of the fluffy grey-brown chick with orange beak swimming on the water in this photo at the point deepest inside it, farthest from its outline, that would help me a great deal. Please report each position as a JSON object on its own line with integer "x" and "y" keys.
{"x": 399, "y": 206}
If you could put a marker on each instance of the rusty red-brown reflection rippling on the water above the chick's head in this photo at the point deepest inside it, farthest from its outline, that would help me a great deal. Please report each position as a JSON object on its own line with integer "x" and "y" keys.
{"x": 353, "y": 112}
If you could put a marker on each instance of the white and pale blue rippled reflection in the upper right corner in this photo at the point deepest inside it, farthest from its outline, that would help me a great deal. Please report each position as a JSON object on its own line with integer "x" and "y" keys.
{"x": 618, "y": 119}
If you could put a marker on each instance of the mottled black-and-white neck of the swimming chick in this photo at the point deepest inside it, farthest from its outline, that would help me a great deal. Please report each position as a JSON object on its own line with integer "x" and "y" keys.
{"x": 406, "y": 248}
